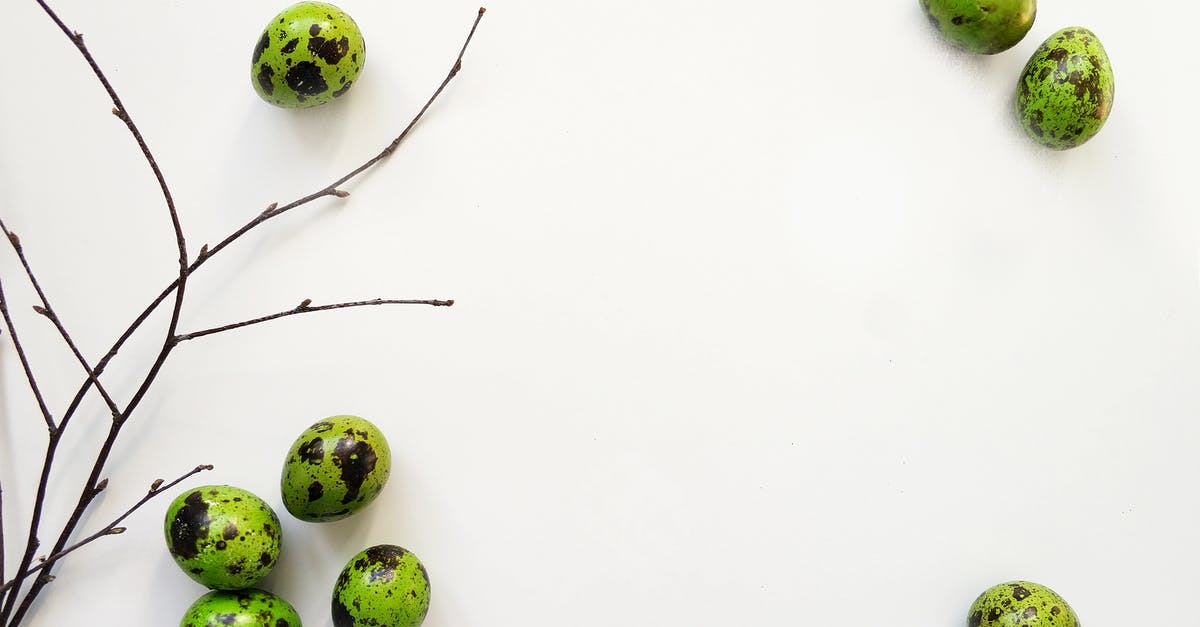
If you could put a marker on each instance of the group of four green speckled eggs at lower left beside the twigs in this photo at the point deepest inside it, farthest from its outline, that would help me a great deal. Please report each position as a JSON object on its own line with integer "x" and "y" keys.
{"x": 229, "y": 539}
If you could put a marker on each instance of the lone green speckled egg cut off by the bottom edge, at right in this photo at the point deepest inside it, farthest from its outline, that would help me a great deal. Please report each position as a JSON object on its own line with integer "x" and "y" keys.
{"x": 1021, "y": 605}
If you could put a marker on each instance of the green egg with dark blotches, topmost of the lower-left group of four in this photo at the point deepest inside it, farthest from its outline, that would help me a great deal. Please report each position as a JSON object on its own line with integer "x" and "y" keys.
{"x": 335, "y": 469}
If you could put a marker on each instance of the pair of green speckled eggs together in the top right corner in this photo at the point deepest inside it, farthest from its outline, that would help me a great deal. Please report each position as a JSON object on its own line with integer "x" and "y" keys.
{"x": 1065, "y": 93}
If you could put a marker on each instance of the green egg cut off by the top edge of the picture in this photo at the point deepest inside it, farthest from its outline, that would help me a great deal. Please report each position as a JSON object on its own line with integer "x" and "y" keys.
{"x": 982, "y": 27}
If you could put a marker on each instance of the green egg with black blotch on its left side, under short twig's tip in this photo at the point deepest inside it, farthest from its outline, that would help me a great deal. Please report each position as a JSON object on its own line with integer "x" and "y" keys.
{"x": 224, "y": 538}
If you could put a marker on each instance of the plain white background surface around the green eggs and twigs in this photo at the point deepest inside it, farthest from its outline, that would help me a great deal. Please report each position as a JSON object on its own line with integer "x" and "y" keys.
{"x": 769, "y": 313}
